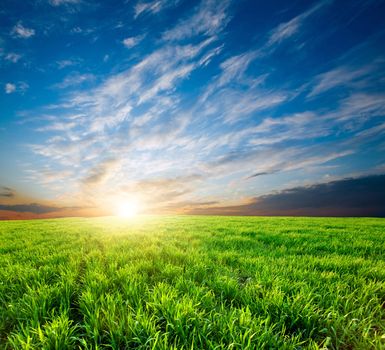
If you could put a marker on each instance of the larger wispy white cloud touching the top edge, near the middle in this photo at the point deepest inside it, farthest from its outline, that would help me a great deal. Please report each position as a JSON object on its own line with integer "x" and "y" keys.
{"x": 209, "y": 19}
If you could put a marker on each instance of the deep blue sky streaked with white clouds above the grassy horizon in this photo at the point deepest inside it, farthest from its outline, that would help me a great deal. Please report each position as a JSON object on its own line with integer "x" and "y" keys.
{"x": 237, "y": 107}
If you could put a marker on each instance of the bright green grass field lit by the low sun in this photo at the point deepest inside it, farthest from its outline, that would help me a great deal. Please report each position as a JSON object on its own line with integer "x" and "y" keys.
{"x": 187, "y": 282}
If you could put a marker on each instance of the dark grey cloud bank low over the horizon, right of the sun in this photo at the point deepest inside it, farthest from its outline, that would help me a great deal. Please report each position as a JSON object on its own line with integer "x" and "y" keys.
{"x": 363, "y": 196}
